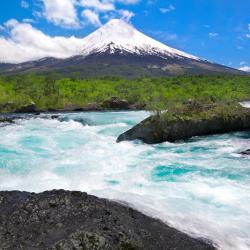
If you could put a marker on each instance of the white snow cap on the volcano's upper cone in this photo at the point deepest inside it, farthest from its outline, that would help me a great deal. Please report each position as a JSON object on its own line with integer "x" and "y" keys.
{"x": 119, "y": 35}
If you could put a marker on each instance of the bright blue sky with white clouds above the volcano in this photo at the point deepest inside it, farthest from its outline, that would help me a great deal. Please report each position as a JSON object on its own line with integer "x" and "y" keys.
{"x": 218, "y": 30}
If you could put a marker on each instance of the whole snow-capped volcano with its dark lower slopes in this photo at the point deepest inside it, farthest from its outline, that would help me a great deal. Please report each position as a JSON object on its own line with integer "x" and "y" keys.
{"x": 117, "y": 48}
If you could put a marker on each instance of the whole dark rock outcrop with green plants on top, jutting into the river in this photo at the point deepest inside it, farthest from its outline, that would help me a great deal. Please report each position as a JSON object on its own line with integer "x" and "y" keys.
{"x": 191, "y": 119}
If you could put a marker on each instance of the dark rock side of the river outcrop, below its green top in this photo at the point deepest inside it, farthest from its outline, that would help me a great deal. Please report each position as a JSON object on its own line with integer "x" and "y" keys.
{"x": 157, "y": 129}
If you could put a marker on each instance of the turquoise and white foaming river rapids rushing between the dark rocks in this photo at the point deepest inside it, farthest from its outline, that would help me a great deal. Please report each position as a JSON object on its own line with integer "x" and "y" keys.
{"x": 201, "y": 187}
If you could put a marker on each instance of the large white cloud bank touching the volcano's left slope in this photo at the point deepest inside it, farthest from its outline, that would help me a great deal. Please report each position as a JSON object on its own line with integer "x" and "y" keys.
{"x": 26, "y": 43}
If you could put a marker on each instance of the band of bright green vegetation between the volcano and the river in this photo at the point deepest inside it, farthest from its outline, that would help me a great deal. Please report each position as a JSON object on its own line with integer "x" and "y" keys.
{"x": 52, "y": 91}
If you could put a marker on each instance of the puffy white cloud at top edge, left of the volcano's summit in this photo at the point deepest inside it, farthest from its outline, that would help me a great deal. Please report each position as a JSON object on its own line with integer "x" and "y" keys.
{"x": 61, "y": 12}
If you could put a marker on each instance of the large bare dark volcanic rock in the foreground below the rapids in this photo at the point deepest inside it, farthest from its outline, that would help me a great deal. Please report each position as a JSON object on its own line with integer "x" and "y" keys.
{"x": 74, "y": 220}
